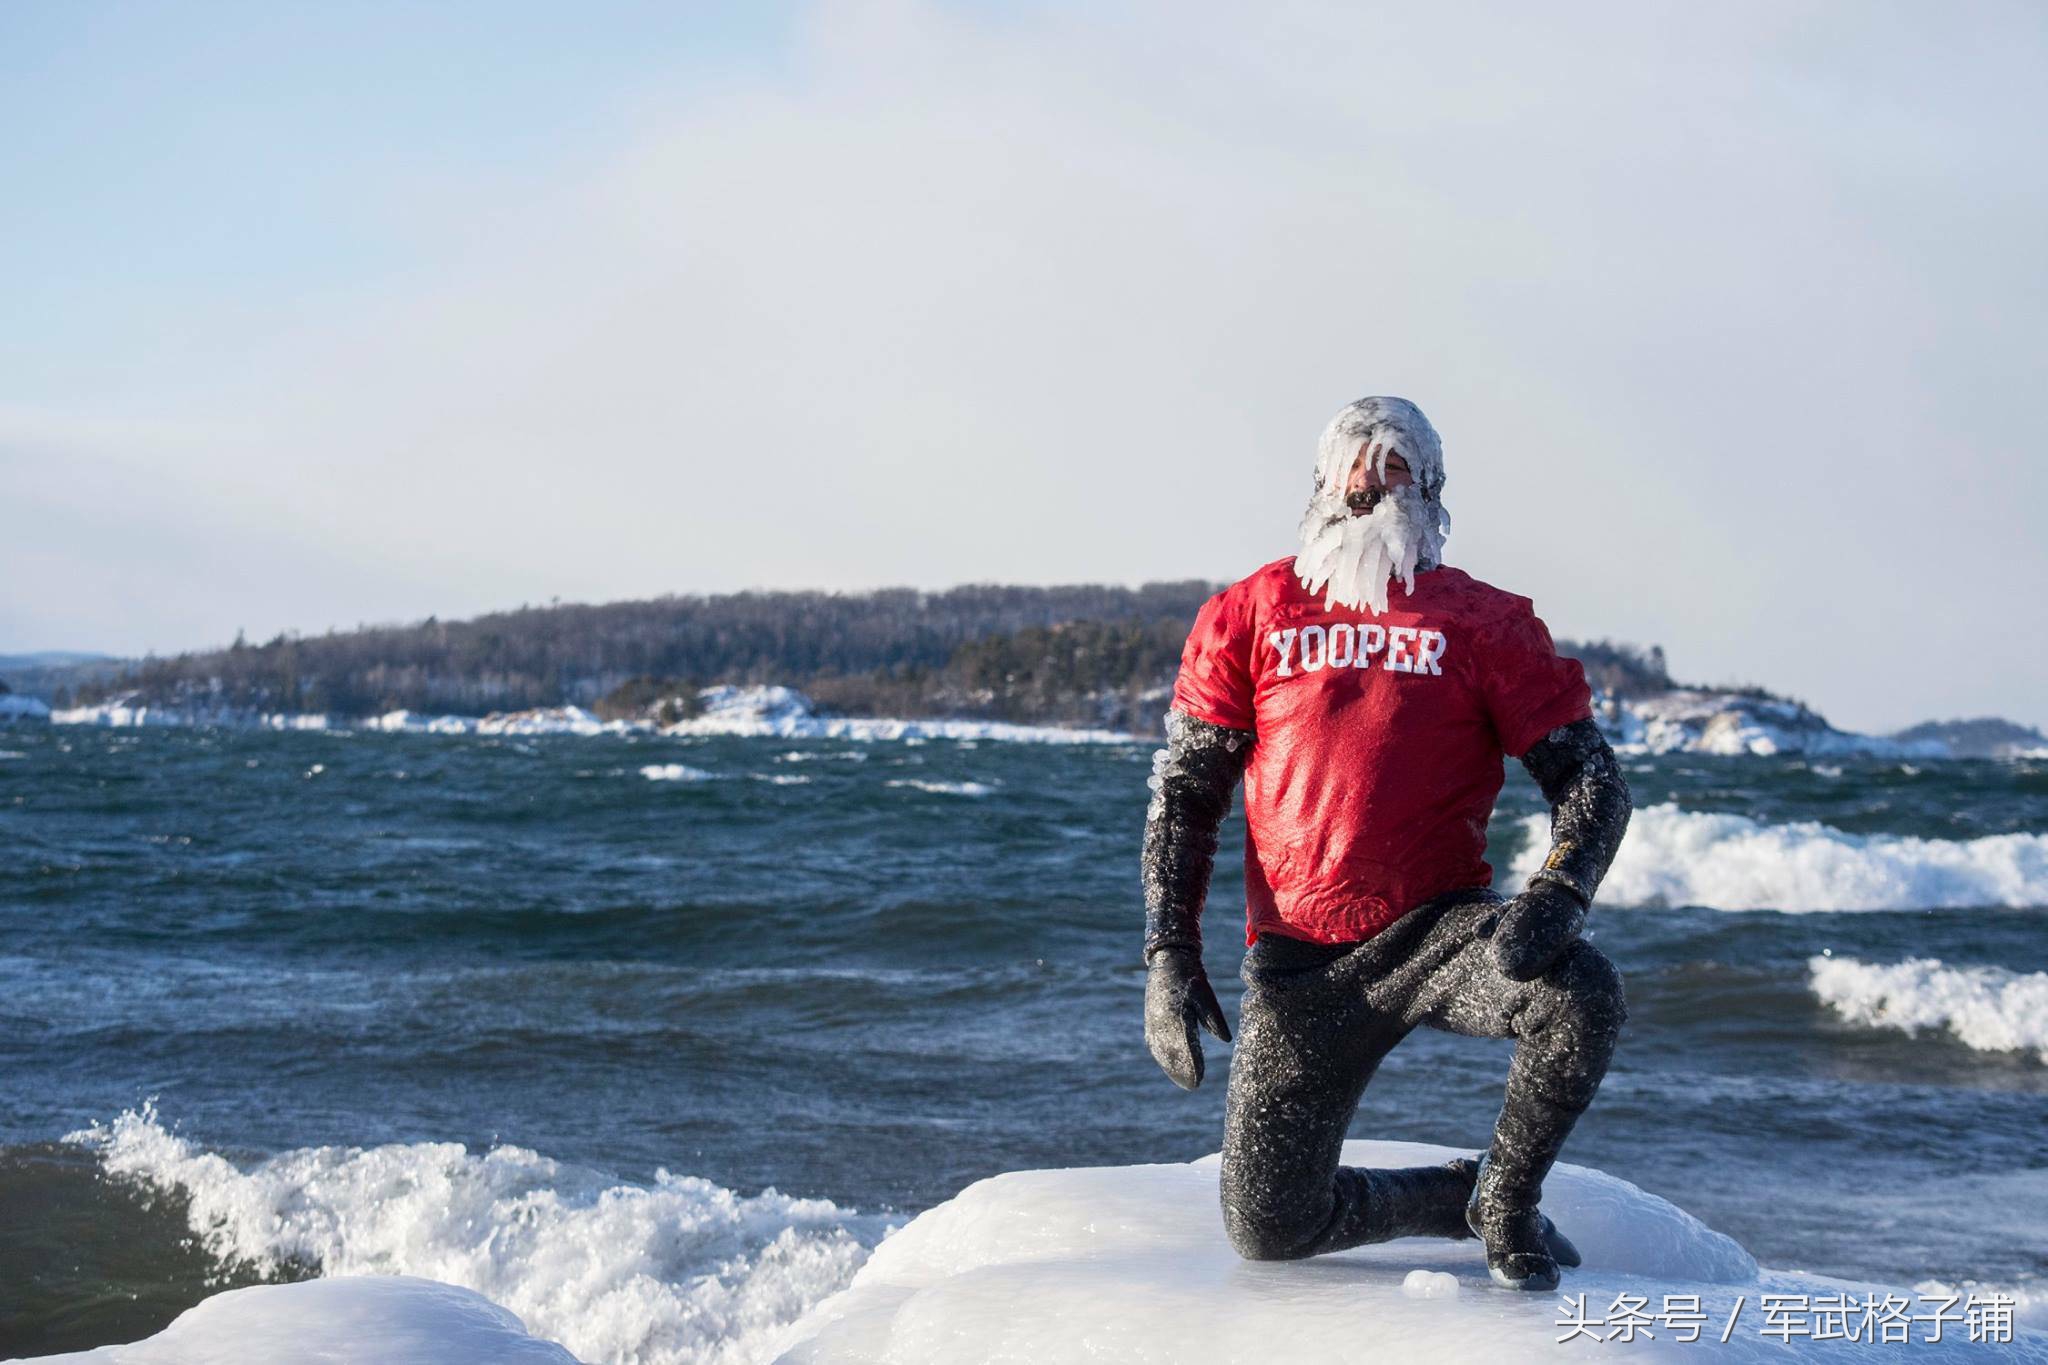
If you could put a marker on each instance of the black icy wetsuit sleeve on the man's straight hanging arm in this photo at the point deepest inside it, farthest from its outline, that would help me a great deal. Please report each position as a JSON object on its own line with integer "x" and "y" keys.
{"x": 1193, "y": 781}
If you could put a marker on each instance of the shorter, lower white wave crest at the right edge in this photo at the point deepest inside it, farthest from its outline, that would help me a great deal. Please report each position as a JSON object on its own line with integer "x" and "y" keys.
{"x": 1988, "y": 1008}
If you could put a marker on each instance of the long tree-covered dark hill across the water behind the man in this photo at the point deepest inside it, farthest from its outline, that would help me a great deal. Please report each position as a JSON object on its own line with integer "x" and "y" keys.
{"x": 1086, "y": 654}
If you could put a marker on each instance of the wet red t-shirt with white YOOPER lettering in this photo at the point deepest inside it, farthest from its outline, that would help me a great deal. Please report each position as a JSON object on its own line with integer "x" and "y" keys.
{"x": 1379, "y": 738}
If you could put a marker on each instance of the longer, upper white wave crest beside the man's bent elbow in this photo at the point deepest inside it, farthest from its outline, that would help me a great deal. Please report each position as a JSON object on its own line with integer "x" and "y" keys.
{"x": 1734, "y": 863}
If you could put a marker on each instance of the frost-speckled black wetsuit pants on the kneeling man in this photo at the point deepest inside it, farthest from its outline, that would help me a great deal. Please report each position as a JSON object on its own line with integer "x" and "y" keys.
{"x": 1314, "y": 1028}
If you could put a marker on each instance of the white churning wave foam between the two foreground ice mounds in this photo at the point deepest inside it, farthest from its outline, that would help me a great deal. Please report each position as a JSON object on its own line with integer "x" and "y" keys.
{"x": 660, "y": 1274}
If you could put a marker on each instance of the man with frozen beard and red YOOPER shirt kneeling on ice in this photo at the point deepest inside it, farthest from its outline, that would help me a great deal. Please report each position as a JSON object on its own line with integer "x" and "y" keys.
{"x": 1369, "y": 719}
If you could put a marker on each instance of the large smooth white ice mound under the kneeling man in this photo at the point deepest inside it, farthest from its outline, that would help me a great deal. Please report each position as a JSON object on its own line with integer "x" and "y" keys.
{"x": 1129, "y": 1264}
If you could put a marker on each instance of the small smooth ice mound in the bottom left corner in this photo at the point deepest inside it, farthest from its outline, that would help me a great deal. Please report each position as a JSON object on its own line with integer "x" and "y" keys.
{"x": 355, "y": 1321}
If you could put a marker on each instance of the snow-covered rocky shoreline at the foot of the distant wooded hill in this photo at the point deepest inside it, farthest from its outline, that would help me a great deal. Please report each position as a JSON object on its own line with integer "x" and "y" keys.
{"x": 1682, "y": 721}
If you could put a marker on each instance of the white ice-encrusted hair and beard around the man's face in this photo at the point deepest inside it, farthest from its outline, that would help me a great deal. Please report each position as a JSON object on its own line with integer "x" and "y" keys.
{"x": 1349, "y": 558}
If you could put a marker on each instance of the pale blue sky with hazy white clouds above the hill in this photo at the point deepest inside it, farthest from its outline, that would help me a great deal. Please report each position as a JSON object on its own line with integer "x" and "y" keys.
{"x": 1734, "y": 318}
